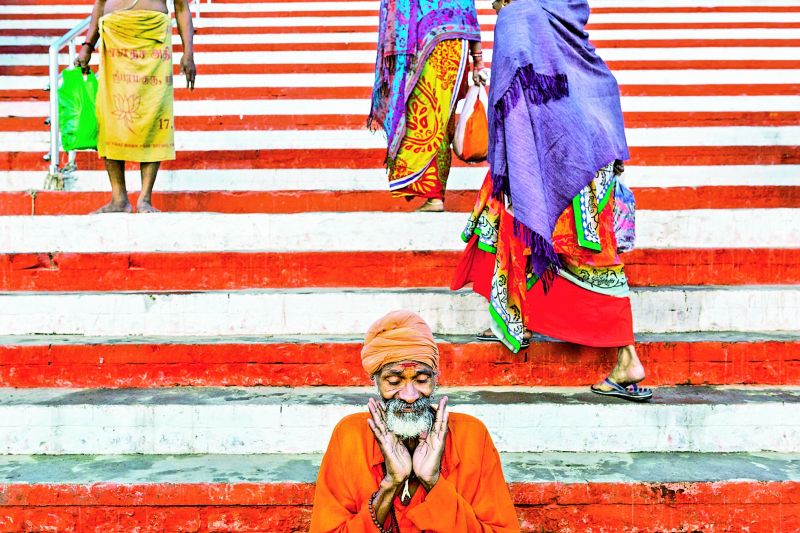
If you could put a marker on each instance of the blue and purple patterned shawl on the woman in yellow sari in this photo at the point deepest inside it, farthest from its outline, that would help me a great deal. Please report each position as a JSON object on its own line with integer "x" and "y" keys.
{"x": 408, "y": 32}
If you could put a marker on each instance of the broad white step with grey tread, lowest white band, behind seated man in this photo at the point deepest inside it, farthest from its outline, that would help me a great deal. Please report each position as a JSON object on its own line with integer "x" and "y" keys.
{"x": 277, "y": 420}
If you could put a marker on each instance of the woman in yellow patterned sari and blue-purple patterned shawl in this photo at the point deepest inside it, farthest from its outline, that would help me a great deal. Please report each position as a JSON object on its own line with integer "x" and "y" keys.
{"x": 420, "y": 74}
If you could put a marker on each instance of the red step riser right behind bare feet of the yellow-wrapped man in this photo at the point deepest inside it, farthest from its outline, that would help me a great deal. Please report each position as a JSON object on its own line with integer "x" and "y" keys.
{"x": 657, "y": 199}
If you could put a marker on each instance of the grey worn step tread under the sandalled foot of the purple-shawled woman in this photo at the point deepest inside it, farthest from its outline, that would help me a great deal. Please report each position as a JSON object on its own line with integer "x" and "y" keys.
{"x": 322, "y": 398}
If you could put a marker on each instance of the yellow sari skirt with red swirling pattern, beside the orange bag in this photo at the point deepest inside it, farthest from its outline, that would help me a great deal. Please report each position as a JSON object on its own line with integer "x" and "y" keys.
{"x": 422, "y": 163}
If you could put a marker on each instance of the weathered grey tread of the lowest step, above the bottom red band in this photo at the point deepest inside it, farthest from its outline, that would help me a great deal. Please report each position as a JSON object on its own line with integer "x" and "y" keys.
{"x": 542, "y": 467}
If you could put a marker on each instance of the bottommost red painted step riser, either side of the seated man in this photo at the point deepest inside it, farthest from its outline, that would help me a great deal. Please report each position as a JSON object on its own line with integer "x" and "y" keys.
{"x": 232, "y": 508}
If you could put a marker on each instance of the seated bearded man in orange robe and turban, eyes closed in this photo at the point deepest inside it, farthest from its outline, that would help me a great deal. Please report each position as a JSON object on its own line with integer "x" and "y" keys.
{"x": 408, "y": 465}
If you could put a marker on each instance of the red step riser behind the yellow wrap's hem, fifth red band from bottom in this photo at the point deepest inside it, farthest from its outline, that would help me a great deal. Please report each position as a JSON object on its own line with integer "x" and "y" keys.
{"x": 373, "y": 158}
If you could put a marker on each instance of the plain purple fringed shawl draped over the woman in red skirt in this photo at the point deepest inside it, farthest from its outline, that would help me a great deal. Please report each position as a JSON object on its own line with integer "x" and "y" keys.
{"x": 554, "y": 115}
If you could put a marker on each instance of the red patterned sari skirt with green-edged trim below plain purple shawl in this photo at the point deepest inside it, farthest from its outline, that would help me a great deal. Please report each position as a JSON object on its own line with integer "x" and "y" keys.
{"x": 588, "y": 301}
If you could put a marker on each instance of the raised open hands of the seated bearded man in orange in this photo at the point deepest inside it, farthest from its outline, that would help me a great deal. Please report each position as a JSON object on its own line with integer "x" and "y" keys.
{"x": 427, "y": 459}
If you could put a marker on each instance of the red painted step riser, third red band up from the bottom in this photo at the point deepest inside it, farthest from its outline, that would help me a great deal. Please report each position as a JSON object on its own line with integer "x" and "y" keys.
{"x": 237, "y": 271}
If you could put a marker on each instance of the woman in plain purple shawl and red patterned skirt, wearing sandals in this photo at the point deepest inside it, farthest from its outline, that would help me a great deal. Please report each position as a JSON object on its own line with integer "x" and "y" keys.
{"x": 541, "y": 240}
